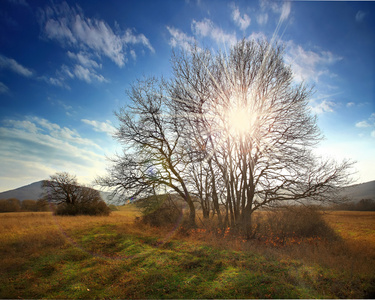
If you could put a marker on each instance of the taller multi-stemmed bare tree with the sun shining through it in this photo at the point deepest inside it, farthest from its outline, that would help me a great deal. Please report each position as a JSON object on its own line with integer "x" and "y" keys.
{"x": 257, "y": 127}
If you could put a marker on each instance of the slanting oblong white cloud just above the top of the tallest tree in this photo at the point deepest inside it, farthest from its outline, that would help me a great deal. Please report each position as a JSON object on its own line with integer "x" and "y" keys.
{"x": 207, "y": 28}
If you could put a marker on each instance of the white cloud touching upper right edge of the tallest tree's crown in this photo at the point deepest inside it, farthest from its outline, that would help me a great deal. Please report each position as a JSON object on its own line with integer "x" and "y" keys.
{"x": 307, "y": 64}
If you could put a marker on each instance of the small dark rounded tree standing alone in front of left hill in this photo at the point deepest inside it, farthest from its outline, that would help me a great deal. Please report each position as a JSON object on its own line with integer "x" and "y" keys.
{"x": 63, "y": 189}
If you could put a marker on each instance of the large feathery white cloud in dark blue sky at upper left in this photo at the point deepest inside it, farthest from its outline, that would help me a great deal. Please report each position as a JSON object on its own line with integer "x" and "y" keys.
{"x": 70, "y": 27}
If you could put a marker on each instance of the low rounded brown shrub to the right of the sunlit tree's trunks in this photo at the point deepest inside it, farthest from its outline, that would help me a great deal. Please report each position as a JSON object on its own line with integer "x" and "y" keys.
{"x": 298, "y": 221}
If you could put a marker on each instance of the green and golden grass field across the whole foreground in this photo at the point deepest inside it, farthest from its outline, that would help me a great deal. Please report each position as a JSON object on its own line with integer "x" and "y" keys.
{"x": 44, "y": 256}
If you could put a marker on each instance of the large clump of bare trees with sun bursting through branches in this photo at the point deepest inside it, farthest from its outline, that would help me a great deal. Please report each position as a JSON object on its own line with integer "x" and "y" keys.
{"x": 233, "y": 130}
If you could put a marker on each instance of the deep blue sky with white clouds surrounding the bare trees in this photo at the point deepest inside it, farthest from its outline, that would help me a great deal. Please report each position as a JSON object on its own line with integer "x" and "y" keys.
{"x": 65, "y": 67}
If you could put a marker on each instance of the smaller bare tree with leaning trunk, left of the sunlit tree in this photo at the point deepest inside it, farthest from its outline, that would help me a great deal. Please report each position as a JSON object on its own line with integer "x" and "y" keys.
{"x": 154, "y": 155}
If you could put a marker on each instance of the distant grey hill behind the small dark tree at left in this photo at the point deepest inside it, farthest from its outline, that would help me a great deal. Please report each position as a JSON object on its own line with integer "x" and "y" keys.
{"x": 34, "y": 191}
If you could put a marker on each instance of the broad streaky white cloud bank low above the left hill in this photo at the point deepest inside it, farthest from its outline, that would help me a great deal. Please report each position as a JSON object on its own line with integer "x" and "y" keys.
{"x": 36, "y": 148}
